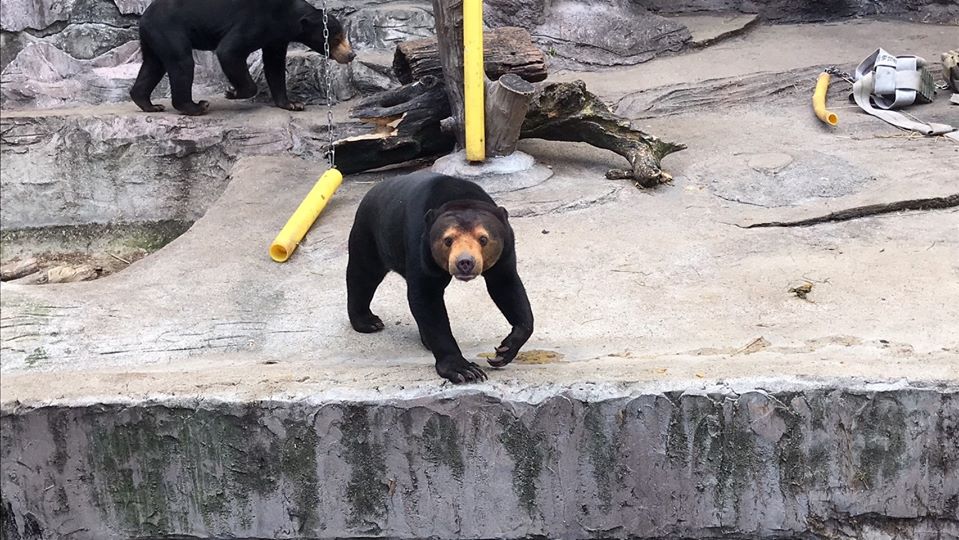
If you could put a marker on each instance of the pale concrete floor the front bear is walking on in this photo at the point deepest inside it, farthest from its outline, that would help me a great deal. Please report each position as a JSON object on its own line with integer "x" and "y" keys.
{"x": 627, "y": 285}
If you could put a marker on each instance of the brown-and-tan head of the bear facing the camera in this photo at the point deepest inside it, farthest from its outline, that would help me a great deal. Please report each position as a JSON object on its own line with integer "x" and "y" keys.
{"x": 466, "y": 238}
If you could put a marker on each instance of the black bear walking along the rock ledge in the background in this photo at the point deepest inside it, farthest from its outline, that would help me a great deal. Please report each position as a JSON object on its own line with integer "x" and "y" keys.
{"x": 171, "y": 29}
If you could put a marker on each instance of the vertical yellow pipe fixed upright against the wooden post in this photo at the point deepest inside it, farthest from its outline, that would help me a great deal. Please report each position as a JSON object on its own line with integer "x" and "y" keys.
{"x": 474, "y": 80}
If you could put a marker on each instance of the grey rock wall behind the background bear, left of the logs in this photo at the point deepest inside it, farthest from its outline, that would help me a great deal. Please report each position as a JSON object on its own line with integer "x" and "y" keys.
{"x": 82, "y": 52}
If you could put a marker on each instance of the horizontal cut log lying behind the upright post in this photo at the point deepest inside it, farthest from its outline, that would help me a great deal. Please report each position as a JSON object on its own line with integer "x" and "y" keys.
{"x": 505, "y": 50}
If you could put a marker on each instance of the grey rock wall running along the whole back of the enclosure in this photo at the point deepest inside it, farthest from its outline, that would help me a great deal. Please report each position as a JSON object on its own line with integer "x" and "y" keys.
{"x": 58, "y": 53}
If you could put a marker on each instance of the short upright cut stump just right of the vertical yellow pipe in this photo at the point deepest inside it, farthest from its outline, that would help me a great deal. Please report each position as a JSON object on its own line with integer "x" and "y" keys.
{"x": 507, "y": 102}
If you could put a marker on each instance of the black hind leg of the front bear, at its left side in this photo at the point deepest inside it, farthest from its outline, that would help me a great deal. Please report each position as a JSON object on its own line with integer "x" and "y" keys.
{"x": 364, "y": 273}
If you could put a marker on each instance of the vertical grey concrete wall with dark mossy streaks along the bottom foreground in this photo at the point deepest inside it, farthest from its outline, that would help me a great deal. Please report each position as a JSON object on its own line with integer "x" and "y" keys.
{"x": 581, "y": 462}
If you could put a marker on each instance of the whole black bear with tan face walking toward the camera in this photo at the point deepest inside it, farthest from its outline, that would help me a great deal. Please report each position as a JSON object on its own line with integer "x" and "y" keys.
{"x": 430, "y": 228}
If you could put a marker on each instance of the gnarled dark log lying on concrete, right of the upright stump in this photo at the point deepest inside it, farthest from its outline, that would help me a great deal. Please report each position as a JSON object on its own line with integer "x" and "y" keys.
{"x": 568, "y": 112}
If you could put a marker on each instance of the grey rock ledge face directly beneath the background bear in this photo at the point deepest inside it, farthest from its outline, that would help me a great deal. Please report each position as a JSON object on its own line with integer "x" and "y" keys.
{"x": 98, "y": 166}
